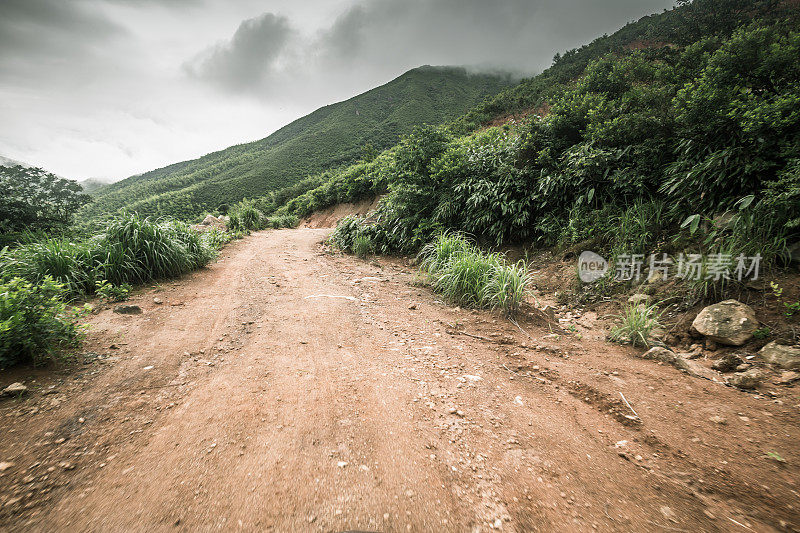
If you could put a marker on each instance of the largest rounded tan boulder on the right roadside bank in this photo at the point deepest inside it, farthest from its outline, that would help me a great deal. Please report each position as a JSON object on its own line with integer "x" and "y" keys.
{"x": 730, "y": 322}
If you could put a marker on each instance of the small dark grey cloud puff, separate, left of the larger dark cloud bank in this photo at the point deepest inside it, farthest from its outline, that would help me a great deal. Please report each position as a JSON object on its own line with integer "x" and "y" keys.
{"x": 248, "y": 59}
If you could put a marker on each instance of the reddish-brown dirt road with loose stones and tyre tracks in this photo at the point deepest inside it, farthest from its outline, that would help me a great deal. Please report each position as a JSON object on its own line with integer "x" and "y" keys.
{"x": 286, "y": 388}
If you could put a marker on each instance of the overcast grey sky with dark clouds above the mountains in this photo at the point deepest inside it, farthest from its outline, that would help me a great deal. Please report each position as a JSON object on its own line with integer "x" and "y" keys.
{"x": 111, "y": 88}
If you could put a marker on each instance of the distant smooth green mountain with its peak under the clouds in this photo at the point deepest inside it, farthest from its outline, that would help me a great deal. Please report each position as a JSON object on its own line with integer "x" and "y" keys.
{"x": 331, "y": 136}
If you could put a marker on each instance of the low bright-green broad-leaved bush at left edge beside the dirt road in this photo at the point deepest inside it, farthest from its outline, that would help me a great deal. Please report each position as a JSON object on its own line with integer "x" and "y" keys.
{"x": 35, "y": 325}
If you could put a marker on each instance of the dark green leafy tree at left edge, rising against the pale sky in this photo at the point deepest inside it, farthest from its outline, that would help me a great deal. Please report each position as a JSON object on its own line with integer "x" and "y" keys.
{"x": 33, "y": 199}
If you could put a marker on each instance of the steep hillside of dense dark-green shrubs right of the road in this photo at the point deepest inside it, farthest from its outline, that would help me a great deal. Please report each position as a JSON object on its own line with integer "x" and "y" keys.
{"x": 634, "y": 150}
